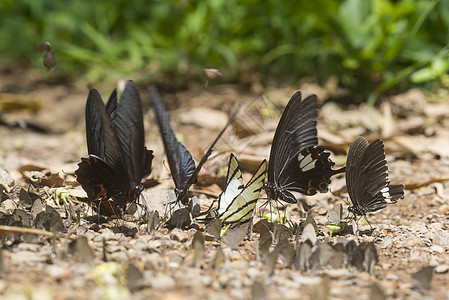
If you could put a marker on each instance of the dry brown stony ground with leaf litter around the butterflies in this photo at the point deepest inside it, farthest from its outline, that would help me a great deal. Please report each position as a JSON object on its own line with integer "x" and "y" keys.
{"x": 43, "y": 138}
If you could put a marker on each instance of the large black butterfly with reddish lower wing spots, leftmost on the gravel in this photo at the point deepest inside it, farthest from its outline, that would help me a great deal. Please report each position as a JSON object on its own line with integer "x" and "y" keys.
{"x": 118, "y": 159}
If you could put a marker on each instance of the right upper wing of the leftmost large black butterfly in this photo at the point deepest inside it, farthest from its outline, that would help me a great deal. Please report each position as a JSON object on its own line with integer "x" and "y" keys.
{"x": 127, "y": 119}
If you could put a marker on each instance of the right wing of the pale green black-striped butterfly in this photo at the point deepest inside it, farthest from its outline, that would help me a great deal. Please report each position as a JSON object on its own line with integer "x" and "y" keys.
{"x": 241, "y": 208}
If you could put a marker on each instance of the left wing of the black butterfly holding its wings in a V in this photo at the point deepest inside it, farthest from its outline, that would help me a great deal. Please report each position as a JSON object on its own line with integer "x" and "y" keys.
{"x": 180, "y": 161}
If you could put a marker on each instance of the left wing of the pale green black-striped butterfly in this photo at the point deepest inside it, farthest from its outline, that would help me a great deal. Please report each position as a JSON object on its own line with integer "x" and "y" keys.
{"x": 234, "y": 185}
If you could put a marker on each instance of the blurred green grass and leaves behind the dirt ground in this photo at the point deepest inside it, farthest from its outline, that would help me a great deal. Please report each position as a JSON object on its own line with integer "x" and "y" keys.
{"x": 372, "y": 47}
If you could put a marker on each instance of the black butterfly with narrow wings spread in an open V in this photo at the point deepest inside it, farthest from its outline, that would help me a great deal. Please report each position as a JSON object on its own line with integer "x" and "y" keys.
{"x": 182, "y": 166}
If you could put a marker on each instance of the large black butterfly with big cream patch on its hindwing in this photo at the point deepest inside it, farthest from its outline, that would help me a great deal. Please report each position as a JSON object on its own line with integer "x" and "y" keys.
{"x": 297, "y": 163}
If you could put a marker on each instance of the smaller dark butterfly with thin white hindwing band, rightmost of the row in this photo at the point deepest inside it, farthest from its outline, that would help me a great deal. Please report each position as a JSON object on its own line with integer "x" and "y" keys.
{"x": 367, "y": 178}
